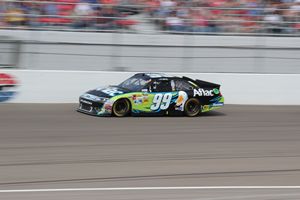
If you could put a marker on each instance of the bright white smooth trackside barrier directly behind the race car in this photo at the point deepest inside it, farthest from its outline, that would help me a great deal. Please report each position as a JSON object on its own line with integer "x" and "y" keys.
{"x": 42, "y": 86}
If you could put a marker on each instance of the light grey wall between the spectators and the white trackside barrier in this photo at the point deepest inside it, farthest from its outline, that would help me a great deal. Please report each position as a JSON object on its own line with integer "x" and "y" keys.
{"x": 48, "y": 50}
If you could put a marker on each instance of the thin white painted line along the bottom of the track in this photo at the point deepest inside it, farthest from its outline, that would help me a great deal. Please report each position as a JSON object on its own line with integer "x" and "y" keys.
{"x": 148, "y": 188}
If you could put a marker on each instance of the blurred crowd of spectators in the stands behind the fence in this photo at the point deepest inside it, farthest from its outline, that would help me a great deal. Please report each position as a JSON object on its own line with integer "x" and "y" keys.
{"x": 195, "y": 16}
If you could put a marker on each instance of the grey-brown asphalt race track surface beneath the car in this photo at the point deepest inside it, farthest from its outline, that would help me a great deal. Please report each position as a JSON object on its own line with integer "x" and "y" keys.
{"x": 52, "y": 146}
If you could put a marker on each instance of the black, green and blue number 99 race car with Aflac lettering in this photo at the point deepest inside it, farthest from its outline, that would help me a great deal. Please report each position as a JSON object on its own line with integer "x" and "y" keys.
{"x": 152, "y": 94}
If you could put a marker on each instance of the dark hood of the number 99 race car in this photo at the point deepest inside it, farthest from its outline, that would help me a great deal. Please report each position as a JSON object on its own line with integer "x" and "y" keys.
{"x": 107, "y": 92}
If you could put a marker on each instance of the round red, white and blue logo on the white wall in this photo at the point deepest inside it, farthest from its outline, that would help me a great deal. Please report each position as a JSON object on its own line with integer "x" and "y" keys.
{"x": 7, "y": 87}
